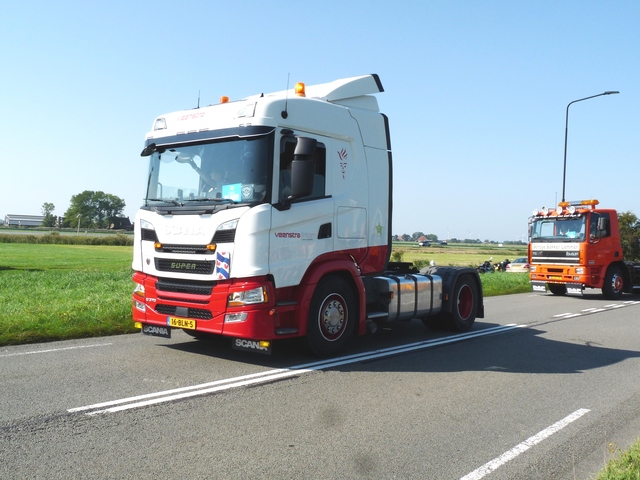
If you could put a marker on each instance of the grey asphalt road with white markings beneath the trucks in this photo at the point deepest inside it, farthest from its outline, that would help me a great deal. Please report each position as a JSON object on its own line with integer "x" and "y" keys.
{"x": 543, "y": 388}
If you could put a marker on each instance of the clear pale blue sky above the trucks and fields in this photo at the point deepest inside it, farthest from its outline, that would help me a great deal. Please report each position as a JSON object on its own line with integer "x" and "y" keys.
{"x": 475, "y": 92}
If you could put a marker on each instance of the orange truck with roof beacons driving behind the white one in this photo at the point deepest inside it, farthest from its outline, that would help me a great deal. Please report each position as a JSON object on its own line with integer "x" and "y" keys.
{"x": 577, "y": 246}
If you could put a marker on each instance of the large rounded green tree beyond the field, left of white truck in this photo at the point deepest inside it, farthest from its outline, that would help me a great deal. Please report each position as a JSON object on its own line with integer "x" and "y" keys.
{"x": 93, "y": 209}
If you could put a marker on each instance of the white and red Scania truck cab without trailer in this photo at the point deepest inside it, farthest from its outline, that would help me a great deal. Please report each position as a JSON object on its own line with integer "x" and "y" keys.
{"x": 270, "y": 218}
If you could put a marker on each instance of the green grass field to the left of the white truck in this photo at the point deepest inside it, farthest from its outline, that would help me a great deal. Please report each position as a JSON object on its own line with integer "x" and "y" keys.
{"x": 56, "y": 292}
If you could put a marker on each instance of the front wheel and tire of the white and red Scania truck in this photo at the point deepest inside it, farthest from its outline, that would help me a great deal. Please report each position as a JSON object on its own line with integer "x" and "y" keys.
{"x": 332, "y": 316}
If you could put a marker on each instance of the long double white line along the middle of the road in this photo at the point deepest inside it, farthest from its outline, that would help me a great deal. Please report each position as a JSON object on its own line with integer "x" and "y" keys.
{"x": 277, "y": 374}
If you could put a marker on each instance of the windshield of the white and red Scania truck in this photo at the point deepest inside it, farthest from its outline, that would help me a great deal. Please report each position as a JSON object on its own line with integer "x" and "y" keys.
{"x": 230, "y": 171}
